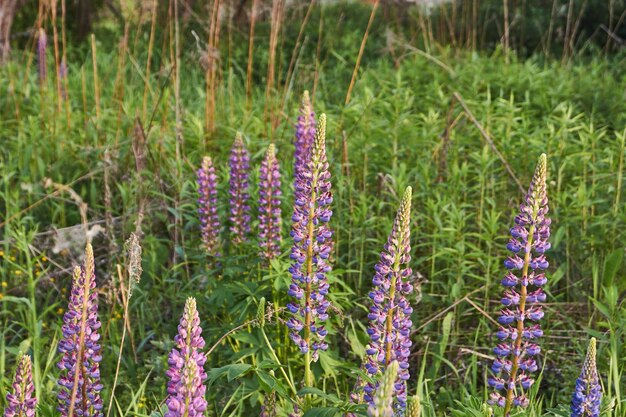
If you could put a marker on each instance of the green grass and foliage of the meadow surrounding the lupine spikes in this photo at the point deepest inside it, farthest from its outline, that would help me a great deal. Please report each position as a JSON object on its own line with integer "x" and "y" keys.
{"x": 388, "y": 137}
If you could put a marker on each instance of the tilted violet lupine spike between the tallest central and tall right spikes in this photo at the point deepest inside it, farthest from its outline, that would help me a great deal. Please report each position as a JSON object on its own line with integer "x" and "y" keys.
{"x": 389, "y": 316}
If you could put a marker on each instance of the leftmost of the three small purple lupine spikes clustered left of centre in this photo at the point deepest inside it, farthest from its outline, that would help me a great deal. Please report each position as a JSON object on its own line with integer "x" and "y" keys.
{"x": 207, "y": 207}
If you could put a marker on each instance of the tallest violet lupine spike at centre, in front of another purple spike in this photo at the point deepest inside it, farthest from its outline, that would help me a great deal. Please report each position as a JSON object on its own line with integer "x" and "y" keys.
{"x": 311, "y": 249}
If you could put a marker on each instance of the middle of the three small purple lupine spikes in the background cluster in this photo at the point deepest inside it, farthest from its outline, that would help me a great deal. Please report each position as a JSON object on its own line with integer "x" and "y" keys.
{"x": 239, "y": 209}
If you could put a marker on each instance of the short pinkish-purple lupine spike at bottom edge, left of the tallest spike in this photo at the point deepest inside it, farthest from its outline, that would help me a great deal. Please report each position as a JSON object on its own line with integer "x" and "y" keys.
{"x": 185, "y": 388}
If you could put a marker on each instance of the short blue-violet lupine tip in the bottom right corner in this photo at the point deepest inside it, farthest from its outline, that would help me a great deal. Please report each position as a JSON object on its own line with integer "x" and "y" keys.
{"x": 588, "y": 394}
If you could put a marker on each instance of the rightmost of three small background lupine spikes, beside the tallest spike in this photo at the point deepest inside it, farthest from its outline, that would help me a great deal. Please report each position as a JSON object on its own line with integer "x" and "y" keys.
{"x": 269, "y": 205}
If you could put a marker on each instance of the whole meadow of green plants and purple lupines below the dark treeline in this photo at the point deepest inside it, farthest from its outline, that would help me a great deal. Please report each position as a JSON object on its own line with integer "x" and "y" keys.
{"x": 104, "y": 146}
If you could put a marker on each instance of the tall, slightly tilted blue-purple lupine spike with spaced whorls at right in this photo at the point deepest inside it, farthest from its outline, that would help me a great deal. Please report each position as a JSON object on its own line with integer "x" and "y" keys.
{"x": 523, "y": 282}
